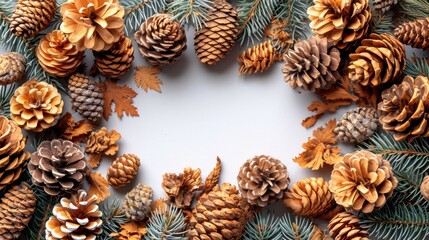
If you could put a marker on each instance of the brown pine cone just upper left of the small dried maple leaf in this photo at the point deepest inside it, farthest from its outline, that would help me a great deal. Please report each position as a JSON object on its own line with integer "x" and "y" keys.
{"x": 116, "y": 61}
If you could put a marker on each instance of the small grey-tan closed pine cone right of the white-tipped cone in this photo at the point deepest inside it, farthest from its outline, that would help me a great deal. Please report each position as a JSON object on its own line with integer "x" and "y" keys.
{"x": 138, "y": 202}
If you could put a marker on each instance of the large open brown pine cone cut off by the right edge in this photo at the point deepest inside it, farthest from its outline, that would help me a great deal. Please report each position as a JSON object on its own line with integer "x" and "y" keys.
{"x": 404, "y": 109}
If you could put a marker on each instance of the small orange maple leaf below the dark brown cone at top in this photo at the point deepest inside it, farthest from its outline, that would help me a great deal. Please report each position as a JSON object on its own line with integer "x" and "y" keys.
{"x": 147, "y": 78}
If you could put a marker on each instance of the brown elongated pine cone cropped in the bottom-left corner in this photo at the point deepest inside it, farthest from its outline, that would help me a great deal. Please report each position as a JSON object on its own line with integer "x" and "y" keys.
{"x": 16, "y": 210}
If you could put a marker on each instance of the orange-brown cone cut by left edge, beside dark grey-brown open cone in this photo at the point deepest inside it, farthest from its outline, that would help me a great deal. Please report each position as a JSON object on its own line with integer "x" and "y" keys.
{"x": 12, "y": 154}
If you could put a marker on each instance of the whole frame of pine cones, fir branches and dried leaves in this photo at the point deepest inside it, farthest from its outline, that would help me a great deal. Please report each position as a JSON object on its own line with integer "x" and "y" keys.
{"x": 347, "y": 52}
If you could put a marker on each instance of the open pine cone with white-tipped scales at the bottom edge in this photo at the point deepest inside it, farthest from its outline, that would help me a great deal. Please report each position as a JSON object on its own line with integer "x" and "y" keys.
{"x": 76, "y": 218}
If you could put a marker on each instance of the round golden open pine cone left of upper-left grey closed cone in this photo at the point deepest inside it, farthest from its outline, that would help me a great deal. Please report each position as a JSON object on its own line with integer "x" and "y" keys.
{"x": 36, "y": 106}
